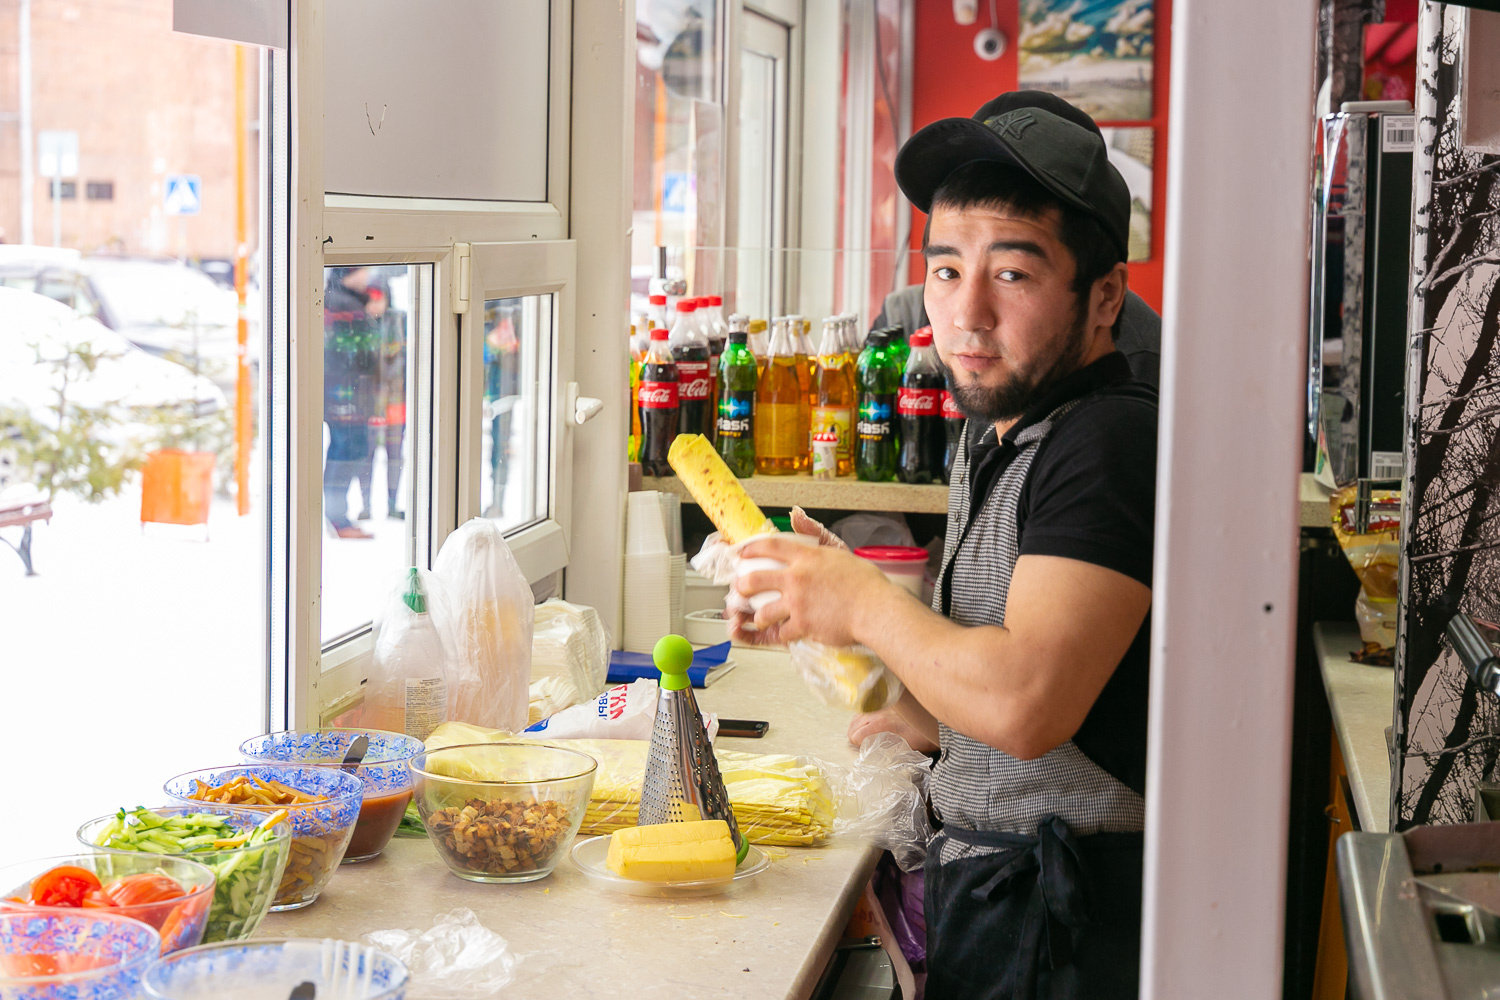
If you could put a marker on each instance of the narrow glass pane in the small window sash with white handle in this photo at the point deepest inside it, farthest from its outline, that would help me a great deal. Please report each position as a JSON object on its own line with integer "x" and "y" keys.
{"x": 518, "y": 377}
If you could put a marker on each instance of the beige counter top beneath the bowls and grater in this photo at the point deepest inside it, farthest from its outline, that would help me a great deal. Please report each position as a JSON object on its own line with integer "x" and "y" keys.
{"x": 767, "y": 938}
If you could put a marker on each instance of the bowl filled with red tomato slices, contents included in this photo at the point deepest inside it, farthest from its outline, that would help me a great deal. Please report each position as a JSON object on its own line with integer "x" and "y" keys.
{"x": 169, "y": 894}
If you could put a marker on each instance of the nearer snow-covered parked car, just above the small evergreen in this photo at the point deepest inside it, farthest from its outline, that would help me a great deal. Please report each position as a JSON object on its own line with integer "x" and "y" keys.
{"x": 37, "y": 332}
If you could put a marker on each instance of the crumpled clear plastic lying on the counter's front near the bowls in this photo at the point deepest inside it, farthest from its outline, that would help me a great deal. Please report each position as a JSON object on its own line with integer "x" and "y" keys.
{"x": 457, "y": 959}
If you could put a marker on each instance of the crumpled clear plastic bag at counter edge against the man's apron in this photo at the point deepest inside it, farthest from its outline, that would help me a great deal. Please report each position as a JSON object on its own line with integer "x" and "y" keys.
{"x": 883, "y": 798}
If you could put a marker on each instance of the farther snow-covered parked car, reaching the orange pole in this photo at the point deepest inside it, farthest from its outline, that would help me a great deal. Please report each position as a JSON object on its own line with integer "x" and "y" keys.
{"x": 160, "y": 305}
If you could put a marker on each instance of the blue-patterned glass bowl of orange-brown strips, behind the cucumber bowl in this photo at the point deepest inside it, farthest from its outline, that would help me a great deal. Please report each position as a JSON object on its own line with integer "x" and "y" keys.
{"x": 320, "y": 831}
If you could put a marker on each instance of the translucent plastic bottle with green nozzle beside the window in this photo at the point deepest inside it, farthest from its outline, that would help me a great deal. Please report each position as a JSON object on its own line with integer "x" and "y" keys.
{"x": 416, "y": 657}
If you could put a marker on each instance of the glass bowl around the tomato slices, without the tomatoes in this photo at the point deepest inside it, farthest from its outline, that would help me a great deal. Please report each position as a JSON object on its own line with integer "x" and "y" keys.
{"x": 181, "y": 921}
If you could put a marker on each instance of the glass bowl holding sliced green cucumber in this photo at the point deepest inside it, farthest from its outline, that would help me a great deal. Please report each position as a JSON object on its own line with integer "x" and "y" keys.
{"x": 245, "y": 878}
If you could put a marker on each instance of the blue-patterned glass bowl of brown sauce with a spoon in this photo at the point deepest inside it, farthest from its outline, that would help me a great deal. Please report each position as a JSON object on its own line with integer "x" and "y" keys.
{"x": 388, "y": 782}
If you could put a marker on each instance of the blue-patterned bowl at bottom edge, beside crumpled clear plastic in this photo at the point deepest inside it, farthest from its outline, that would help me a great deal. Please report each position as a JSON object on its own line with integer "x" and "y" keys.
{"x": 272, "y": 969}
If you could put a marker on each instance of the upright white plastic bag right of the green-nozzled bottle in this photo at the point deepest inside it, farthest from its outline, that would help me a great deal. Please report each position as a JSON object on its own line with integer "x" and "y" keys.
{"x": 496, "y": 615}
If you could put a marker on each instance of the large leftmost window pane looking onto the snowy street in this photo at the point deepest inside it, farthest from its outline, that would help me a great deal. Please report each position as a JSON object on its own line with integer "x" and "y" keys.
{"x": 137, "y": 651}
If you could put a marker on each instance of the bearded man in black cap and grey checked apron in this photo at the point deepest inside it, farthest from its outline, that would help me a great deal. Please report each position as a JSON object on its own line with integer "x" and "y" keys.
{"x": 1031, "y": 668}
